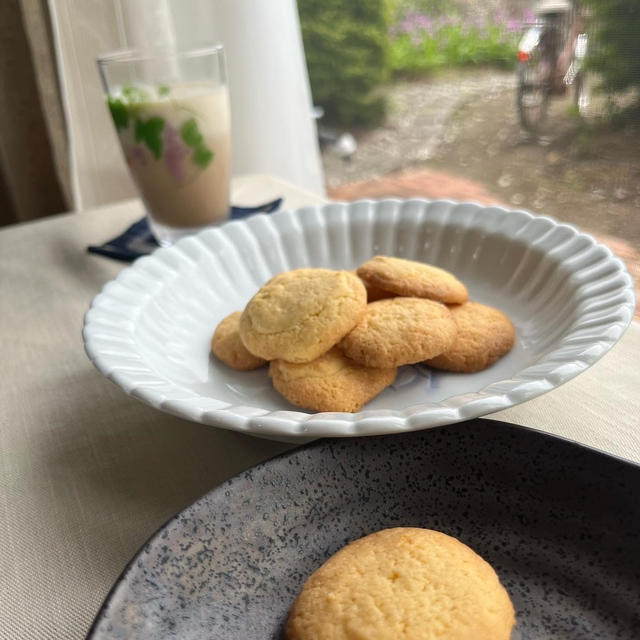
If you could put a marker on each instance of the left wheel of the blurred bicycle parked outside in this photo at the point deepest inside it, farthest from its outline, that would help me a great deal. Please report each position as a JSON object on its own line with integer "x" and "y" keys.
{"x": 533, "y": 92}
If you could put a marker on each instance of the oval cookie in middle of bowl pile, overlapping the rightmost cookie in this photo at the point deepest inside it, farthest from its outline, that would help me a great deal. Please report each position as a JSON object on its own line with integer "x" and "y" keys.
{"x": 400, "y": 331}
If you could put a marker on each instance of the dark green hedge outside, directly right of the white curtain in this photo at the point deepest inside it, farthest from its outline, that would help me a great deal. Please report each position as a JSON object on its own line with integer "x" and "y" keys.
{"x": 347, "y": 49}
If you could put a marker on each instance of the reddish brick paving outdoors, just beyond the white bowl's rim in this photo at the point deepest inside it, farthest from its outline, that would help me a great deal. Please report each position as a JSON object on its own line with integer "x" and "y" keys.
{"x": 429, "y": 183}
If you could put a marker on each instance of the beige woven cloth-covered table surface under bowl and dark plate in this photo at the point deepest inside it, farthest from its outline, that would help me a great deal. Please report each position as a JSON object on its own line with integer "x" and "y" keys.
{"x": 87, "y": 473}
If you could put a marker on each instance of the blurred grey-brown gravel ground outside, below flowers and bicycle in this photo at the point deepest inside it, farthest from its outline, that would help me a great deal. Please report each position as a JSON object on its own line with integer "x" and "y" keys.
{"x": 465, "y": 125}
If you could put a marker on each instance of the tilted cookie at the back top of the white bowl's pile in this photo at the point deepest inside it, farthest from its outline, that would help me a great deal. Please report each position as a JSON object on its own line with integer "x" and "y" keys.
{"x": 410, "y": 278}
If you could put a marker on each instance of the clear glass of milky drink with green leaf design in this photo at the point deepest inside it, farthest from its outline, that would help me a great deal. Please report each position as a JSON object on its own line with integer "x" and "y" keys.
{"x": 171, "y": 113}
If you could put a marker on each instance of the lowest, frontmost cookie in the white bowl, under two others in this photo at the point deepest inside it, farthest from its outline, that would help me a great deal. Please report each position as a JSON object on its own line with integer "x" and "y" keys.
{"x": 330, "y": 383}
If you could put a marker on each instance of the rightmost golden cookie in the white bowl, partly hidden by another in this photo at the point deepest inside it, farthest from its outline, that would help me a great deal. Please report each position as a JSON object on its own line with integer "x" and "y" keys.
{"x": 484, "y": 335}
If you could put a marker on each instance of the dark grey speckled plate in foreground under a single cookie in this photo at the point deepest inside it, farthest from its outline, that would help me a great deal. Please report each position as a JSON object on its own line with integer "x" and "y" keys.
{"x": 560, "y": 523}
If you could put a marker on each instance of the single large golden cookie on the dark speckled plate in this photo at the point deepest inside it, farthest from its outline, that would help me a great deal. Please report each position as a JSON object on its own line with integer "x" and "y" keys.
{"x": 403, "y": 584}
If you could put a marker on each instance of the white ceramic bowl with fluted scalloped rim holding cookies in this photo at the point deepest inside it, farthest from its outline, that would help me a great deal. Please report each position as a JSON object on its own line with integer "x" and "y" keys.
{"x": 570, "y": 299}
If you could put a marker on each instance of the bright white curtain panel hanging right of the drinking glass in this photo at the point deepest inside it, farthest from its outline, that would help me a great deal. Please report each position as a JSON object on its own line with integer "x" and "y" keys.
{"x": 272, "y": 126}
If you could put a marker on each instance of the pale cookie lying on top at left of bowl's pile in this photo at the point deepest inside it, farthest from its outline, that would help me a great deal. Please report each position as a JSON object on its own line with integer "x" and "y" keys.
{"x": 299, "y": 315}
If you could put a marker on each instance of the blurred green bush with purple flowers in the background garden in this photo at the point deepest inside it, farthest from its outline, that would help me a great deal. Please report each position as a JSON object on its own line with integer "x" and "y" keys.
{"x": 420, "y": 44}
